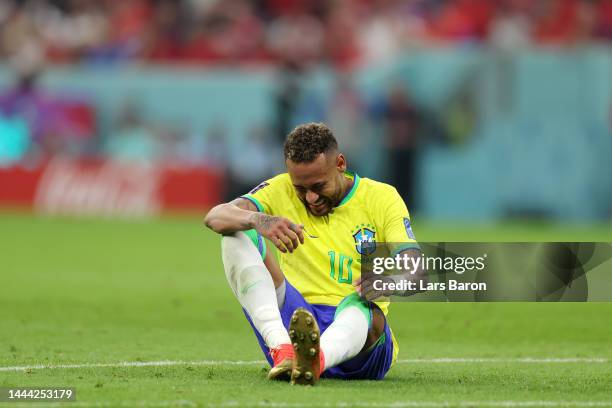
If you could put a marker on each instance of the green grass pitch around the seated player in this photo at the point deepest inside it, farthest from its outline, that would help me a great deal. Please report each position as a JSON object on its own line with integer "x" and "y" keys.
{"x": 99, "y": 291}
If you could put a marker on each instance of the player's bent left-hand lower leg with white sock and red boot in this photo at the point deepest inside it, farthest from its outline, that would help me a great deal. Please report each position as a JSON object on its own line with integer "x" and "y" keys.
{"x": 254, "y": 287}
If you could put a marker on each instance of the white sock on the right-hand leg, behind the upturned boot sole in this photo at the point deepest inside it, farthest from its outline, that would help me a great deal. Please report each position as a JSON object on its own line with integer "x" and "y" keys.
{"x": 345, "y": 337}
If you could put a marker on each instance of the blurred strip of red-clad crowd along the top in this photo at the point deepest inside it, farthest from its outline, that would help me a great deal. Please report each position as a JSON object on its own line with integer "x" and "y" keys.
{"x": 342, "y": 33}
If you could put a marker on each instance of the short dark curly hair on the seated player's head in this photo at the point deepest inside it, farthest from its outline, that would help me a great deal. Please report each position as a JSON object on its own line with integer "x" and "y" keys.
{"x": 307, "y": 141}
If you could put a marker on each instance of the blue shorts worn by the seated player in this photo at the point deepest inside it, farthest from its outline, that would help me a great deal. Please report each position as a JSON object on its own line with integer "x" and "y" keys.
{"x": 369, "y": 365}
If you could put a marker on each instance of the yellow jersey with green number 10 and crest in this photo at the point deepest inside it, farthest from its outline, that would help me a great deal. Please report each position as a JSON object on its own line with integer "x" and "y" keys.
{"x": 324, "y": 268}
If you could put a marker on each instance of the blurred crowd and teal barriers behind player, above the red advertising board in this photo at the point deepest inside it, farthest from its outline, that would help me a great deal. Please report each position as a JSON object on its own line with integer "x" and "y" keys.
{"x": 473, "y": 109}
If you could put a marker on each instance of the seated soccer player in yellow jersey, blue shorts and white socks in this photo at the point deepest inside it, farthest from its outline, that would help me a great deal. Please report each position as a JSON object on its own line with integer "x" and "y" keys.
{"x": 307, "y": 310}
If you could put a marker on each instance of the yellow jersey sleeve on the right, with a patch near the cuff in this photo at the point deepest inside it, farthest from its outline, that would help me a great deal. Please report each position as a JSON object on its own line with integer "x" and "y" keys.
{"x": 396, "y": 221}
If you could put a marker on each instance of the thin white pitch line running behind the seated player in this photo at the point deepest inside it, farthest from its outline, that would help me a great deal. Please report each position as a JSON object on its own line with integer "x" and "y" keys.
{"x": 520, "y": 360}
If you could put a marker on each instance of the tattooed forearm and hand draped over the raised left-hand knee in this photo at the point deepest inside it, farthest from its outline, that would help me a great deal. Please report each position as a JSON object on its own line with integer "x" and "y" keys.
{"x": 241, "y": 215}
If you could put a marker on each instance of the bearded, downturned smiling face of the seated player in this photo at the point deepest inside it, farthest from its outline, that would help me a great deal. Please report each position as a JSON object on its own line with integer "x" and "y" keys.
{"x": 319, "y": 184}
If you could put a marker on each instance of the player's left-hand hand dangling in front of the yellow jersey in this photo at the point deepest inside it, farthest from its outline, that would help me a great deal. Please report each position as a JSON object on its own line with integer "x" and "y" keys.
{"x": 283, "y": 233}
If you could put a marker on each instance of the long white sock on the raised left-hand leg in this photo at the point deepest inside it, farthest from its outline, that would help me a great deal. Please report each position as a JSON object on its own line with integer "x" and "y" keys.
{"x": 253, "y": 286}
